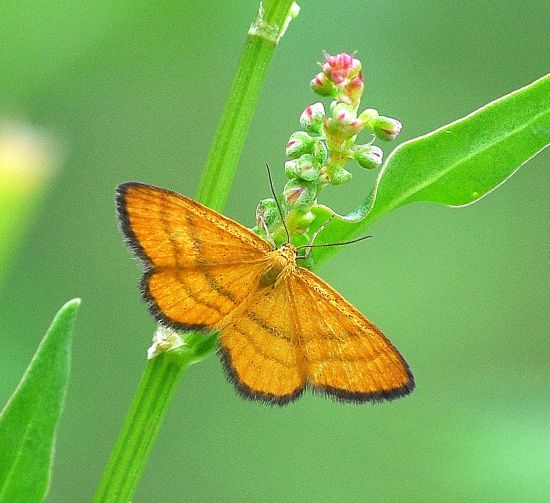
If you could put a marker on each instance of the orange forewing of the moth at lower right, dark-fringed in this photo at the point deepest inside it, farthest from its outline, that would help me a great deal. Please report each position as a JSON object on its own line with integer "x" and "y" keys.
{"x": 346, "y": 356}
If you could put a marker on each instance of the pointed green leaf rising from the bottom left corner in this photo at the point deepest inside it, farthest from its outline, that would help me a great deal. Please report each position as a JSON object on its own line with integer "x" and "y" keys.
{"x": 29, "y": 420}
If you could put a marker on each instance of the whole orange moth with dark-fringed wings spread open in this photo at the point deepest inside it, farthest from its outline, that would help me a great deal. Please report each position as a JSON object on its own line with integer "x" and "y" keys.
{"x": 282, "y": 328}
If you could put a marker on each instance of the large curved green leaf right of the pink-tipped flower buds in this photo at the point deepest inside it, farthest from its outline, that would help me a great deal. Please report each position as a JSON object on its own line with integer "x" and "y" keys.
{"x": 455, "y": 165}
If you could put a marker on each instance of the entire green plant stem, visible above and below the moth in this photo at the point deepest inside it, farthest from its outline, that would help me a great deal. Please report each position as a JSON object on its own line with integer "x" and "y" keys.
{"x": 162, "y": 373}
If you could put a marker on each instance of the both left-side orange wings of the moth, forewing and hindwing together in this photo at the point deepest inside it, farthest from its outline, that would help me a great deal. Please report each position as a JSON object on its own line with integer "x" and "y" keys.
{"x": 200, "y": 264}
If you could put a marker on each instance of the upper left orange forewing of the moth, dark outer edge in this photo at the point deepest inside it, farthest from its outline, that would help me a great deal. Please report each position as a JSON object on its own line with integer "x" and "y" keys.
{"x": 166, "y": 229}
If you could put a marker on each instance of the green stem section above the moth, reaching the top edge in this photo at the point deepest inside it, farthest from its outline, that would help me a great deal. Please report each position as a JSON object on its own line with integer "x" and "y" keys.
{"x": 221, "y": 165}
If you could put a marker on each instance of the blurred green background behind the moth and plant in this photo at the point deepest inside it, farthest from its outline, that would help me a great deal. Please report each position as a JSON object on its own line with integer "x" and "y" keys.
{"x": 133, "y": 91}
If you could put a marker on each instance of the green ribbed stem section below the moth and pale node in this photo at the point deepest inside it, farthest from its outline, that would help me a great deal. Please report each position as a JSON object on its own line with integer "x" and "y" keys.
{"x": 140, "y": 428}
